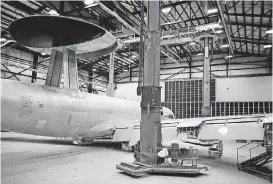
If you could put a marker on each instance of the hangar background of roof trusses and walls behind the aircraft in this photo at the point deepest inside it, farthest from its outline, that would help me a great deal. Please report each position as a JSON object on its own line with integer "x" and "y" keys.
{"x": 237, "y": 82}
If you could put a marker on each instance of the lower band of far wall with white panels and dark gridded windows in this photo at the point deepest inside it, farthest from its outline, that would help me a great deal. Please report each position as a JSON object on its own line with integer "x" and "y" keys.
{"x": 184, "y": 96}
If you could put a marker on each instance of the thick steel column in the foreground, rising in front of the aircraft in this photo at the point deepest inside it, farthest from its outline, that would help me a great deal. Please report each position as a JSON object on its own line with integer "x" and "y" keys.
{"x": 150, "y": 127}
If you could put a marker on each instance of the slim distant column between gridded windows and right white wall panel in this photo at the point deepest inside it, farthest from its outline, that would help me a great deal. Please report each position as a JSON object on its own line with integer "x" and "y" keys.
{"x": 206, "y": 79}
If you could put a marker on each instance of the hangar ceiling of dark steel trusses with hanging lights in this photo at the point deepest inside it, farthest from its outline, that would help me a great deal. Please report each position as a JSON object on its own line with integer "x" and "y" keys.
{"x": 246, "y": 23}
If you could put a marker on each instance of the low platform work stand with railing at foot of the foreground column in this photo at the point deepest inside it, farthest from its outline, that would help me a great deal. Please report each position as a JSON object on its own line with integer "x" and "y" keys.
{"x": 178, "y": 161}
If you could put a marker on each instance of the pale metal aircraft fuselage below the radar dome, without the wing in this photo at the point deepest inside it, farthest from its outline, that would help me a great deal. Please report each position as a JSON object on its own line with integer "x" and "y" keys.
{"x": 62, "y": 112}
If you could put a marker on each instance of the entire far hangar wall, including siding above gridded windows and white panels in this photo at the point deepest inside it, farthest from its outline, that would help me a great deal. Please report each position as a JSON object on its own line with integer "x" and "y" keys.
{"x": 243, "y": 74}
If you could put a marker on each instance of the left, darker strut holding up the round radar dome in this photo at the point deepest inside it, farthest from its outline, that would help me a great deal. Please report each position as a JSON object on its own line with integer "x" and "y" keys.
{"x": 54, "y": 72}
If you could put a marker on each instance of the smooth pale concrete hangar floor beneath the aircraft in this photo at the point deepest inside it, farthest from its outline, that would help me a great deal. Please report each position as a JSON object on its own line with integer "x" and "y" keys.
{"x": 32, "y": 159}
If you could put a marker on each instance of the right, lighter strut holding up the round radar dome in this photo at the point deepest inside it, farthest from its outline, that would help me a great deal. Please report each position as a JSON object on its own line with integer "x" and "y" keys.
{"x": 70, "y": 69}
